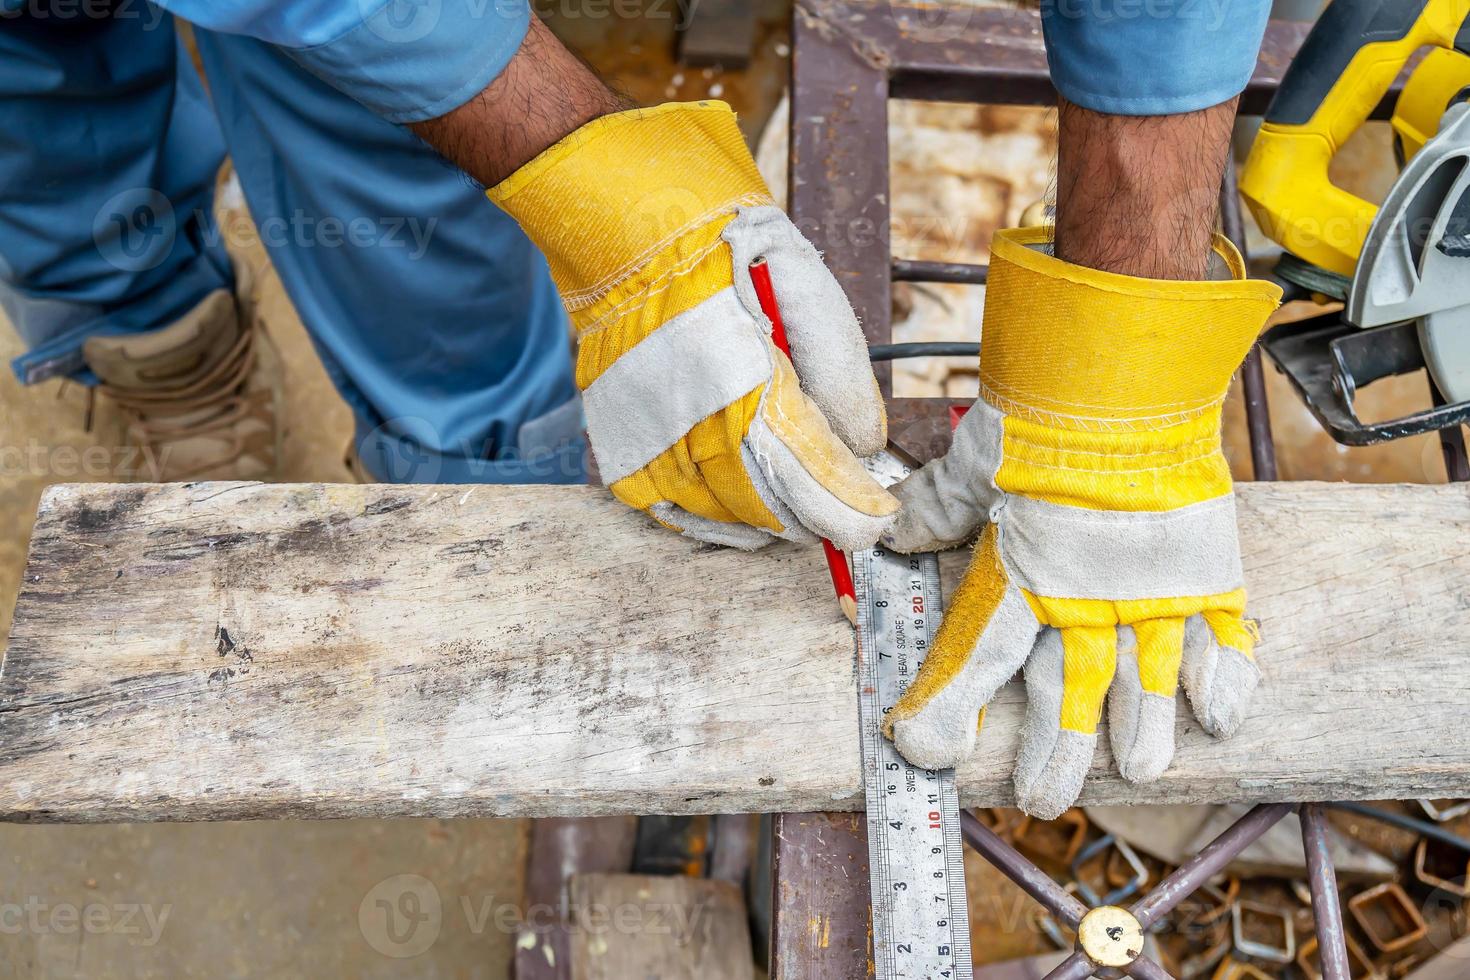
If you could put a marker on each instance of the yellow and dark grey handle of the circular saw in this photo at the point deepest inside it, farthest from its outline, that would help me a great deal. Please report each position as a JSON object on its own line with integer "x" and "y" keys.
{"x": 1341, "y": 73}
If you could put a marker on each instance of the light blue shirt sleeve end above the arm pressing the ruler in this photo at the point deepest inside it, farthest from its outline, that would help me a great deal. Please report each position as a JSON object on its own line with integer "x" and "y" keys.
{"x": 1152, "y": 58}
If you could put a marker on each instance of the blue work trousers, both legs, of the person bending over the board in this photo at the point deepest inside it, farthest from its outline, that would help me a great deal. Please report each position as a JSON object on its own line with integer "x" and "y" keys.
{"x": 434, "y": 315}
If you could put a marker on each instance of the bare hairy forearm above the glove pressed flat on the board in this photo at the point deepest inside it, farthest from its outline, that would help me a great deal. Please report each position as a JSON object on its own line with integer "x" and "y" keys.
{"x": 1140, "y": 195}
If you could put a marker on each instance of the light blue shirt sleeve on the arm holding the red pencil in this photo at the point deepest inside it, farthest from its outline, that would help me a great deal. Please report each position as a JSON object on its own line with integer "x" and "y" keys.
{"x": 405, "y": 60}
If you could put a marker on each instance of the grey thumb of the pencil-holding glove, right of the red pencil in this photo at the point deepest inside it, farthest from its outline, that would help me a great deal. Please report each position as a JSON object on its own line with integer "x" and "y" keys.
{"x": 827, "y": 342}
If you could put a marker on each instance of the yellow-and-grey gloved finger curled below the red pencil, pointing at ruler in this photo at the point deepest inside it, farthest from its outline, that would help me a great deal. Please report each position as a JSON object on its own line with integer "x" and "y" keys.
{"x": 811, "y": 471}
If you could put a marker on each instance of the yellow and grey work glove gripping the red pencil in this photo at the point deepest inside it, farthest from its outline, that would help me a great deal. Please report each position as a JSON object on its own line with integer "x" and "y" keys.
{"x": 650, "y": 220}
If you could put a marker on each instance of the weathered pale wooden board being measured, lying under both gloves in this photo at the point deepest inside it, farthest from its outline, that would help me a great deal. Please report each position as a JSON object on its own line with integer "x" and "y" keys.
{"x": 234, "y": 650}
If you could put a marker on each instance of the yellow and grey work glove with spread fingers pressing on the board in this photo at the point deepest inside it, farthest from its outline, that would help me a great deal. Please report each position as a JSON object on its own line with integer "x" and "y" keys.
{"x": 1109, "y": 563}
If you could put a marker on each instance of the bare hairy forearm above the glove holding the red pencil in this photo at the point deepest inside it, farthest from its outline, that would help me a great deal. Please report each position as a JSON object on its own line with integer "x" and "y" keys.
{"x": 543, "y": 96}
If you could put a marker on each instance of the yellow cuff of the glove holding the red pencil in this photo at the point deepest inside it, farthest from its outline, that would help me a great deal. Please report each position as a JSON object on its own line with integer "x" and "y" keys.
{"x": 609, "y": 198}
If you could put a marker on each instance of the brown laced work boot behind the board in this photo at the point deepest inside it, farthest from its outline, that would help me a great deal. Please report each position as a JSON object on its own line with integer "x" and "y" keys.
{"x": 198, "y": 399}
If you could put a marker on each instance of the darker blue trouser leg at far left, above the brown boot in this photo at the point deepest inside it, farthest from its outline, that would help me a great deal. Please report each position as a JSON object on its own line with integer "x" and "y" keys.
{"x": 108, "y": 158}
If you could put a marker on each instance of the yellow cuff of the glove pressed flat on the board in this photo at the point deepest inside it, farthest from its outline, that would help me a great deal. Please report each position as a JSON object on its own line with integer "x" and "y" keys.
{"x": 1080, "y": 349}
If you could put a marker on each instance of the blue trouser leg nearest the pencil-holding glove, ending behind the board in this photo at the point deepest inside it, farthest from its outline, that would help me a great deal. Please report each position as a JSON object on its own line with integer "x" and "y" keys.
{"x": 433, "y": 312}
